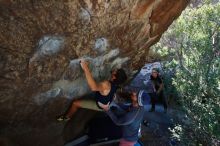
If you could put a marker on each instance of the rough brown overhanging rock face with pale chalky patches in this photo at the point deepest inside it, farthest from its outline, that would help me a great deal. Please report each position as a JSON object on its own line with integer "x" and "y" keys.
{"x": 41, "y": 43}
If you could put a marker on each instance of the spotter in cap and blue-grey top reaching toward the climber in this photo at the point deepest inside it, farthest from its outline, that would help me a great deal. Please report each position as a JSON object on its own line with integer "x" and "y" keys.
{"x": 128, "y": 116}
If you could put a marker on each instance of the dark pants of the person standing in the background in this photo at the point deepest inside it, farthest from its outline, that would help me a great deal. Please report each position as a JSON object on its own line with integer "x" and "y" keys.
{"x": 160, "y": 97}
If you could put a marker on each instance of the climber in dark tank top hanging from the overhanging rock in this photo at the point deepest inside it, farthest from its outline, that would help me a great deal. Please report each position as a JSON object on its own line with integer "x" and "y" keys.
{"x": 103, "y": 92}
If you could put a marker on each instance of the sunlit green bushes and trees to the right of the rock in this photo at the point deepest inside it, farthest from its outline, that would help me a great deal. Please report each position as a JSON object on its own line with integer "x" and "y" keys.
{"x": 192, "y": 48}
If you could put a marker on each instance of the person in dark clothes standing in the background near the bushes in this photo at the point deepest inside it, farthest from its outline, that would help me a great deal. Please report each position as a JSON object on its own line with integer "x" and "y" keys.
{"x": 158, "y": 86}
